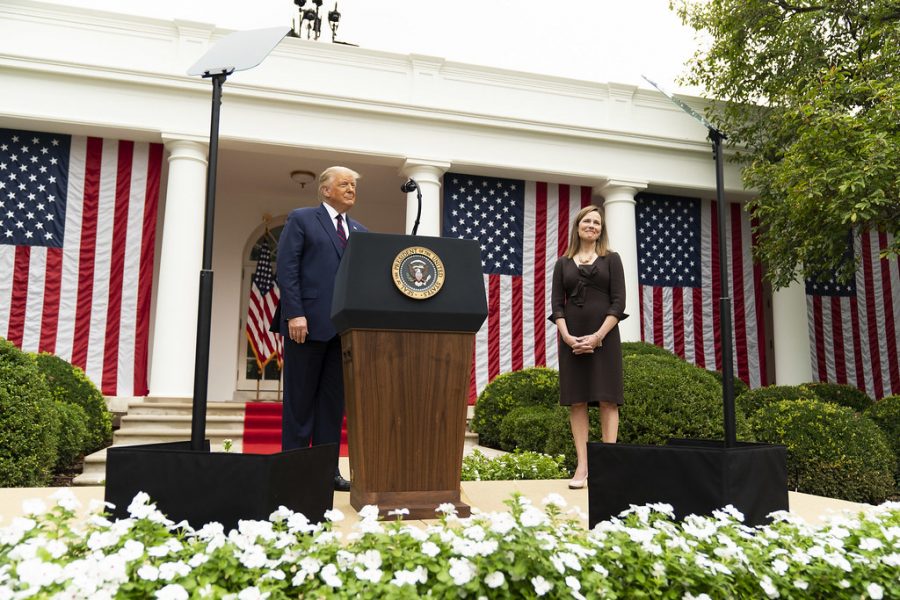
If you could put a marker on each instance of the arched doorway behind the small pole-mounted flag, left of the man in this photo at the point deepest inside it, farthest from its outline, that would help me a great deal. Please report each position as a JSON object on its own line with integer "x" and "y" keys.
{"x": 253, "y": 377}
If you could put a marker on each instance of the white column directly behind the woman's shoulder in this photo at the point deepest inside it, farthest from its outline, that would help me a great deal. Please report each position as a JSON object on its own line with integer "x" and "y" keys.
{"x": 619, "y": 208}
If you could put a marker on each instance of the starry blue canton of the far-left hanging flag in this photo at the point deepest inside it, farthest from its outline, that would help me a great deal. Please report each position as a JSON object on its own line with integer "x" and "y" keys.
{"x": 33, "y": 182}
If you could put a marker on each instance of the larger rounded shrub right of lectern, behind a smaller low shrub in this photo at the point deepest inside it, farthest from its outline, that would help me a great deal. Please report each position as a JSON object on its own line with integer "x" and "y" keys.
{"x": 535, "y": 386}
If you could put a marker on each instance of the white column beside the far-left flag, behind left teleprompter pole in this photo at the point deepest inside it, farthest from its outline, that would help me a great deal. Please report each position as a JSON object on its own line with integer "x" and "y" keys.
{"x": 181, "y": 256}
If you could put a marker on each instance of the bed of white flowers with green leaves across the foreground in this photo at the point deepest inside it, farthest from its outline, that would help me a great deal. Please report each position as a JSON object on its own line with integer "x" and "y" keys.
{"x": 526, "y": 552}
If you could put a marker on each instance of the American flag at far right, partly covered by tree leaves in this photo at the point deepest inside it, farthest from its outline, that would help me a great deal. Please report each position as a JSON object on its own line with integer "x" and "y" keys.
{"x": 853, "y": 328}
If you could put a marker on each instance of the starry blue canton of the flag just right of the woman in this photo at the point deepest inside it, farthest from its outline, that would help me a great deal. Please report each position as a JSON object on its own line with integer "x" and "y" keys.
{"x": 669, "y": 241}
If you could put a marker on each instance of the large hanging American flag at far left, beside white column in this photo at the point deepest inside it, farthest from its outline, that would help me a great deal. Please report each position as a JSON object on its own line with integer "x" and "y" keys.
{"x": 77, "y": 236}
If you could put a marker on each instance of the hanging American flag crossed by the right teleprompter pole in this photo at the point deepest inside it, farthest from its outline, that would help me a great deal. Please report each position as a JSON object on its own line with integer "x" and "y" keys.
{"x": 679, "y": 283}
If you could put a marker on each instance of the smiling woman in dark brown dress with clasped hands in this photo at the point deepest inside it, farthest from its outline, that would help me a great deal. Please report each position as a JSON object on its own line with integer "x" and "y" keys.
{"x": 588, "y": 301}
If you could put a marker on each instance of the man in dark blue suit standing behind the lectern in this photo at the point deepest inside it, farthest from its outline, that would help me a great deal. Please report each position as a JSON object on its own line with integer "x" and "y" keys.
{"x": 309, "y": 252}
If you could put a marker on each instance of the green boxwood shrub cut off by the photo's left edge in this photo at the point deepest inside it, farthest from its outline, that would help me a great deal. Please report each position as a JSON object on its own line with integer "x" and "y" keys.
{"x": 28, "y": 421}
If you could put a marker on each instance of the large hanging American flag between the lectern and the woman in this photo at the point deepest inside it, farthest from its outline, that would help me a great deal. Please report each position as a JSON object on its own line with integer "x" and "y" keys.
{"x": 523, "y": 227}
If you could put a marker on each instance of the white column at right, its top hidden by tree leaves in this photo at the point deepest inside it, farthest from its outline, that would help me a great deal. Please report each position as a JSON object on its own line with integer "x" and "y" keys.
{"x": 791, "y": 335}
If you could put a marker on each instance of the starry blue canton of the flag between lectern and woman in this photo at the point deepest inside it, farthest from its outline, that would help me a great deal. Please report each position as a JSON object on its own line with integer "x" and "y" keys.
{"x": 490, "y": 210}
